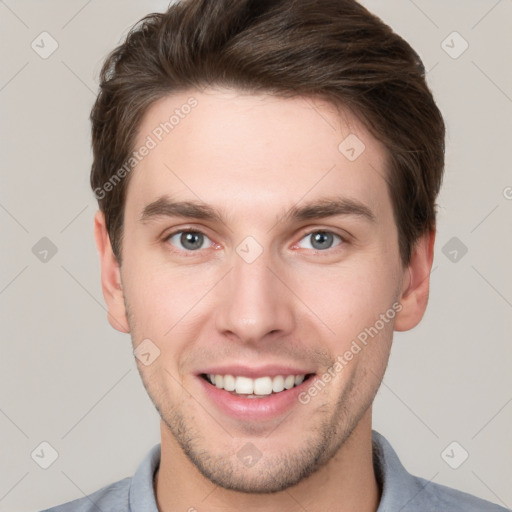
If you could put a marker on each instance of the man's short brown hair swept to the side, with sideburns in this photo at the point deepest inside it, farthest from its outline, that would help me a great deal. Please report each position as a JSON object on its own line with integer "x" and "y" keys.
{"x": 335, "y": 49}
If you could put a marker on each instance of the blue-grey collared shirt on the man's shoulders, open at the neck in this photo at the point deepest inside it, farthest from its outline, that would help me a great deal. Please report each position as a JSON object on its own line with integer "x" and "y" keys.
{"x": 400, "y": 491}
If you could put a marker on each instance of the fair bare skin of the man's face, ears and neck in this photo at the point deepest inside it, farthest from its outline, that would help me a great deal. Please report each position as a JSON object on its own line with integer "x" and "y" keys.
{"x": 253, "y": 157}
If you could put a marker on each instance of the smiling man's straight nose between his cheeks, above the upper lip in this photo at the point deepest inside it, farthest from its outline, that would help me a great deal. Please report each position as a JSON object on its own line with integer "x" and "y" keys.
{"x": 254, "y": 301}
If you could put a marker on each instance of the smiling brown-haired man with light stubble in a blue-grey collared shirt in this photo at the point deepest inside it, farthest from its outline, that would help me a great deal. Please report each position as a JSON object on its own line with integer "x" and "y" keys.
{"x": 266, "y": 173}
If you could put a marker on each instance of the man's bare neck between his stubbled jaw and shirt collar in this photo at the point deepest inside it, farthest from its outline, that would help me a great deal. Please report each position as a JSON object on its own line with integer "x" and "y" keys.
{"x": 346, "y": 483}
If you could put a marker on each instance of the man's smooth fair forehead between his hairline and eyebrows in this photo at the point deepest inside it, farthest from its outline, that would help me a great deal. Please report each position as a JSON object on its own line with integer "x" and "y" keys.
{"x": 252, "y": 152}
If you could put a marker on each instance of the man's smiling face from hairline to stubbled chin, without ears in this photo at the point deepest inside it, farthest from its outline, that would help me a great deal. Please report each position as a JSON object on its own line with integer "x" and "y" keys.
{"x": 256, "y": 253}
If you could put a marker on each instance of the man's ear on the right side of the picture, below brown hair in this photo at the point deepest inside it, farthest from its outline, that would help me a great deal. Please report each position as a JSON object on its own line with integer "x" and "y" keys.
{"x": 416, "y": 283}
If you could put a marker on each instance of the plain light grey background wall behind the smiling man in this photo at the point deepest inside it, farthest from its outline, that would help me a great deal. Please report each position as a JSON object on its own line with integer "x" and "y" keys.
{"x": 69, "y": 379}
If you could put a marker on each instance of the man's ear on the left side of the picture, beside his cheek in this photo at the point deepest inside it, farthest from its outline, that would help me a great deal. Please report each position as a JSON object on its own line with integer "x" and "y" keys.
{"x": 110, "y": 277}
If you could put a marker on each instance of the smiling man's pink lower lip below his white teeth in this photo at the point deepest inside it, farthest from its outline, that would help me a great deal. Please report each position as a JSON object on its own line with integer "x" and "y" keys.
{"x": 264, "y": 408}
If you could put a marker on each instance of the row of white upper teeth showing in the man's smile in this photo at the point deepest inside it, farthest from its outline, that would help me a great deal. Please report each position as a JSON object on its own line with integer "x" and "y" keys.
{"x": 259, "y": 386}
